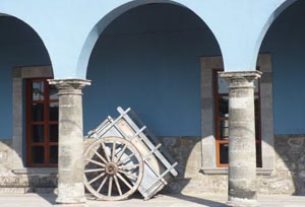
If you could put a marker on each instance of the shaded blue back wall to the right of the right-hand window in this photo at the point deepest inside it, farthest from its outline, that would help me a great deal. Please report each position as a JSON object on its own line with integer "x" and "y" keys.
{"x": 286, "y": 42}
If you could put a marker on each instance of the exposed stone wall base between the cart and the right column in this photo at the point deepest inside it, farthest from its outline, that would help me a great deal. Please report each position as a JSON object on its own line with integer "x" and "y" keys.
{"x": 186, "y": 151}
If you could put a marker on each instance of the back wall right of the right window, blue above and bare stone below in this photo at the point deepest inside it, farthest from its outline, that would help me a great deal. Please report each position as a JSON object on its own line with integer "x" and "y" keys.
{"x": 285, "y": 43}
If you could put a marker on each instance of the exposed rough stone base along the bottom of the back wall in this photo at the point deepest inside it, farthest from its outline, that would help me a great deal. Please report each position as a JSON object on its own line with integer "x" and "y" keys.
{"x": 287, "y": 177}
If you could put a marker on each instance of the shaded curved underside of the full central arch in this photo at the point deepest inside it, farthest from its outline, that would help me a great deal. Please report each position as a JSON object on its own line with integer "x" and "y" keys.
{"x": 101, "y": 25}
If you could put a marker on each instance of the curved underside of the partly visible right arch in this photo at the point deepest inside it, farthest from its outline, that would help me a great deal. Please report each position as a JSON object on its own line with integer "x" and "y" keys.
{"x": 266, "y": 26}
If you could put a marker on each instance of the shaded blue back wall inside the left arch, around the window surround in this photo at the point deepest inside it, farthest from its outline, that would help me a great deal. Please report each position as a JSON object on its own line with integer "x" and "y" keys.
{"x": 19, "y": 46}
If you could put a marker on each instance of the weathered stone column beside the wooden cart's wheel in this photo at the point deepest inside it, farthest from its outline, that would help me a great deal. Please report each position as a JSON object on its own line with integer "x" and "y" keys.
{"x": 70, "y": 143}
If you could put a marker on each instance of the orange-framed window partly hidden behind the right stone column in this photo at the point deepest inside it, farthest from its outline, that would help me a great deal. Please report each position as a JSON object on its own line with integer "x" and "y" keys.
{"x": 221, "y": 94}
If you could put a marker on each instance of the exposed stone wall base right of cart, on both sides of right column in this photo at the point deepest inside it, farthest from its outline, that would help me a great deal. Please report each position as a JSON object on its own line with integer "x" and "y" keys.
{"x": 288, "y": 176}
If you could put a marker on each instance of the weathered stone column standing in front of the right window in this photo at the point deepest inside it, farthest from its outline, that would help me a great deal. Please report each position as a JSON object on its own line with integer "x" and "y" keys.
{"x": 242, "y": 150}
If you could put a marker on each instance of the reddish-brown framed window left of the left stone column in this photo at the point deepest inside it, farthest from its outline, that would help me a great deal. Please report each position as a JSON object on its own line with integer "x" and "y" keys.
{"x": 41, "y": 123}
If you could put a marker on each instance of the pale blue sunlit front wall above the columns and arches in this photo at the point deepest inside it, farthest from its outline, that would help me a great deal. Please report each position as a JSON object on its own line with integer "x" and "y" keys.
{"x": 70, "y": 28}
